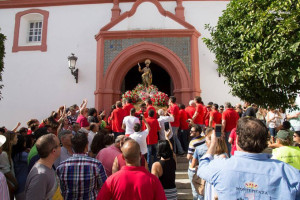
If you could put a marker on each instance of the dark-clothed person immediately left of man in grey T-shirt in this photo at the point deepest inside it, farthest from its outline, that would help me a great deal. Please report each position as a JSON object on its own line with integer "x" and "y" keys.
{"x": 19, "y": 156}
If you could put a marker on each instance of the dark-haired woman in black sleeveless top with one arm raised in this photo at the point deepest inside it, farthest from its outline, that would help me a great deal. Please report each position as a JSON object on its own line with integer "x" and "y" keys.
{"x": 165, "y": 168}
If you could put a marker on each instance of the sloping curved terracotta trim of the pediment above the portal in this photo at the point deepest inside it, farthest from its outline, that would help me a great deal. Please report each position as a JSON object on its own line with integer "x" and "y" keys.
{"x": 134, "y": 8}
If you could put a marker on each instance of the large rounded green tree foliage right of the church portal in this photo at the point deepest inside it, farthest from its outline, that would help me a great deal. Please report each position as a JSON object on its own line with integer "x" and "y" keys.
{"x": 256, "y": 43}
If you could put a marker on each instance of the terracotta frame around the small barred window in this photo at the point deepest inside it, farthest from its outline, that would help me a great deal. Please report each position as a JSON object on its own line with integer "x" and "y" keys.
{"x": 43, "y": 45}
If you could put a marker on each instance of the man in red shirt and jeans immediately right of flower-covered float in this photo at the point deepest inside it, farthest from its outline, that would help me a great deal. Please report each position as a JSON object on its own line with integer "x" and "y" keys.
{"x": 174, "y": 110}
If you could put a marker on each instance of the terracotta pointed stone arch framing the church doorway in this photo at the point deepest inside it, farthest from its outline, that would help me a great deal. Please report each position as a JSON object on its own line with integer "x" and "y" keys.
{"x": 109, "y": 92}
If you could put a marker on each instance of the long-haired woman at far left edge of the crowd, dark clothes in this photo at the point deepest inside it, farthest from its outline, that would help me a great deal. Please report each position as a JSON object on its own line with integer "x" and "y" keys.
{"x": 6, "y": 162}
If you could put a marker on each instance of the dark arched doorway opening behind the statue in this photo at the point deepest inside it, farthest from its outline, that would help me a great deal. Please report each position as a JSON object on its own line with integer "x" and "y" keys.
{"x": 160, "y": 78}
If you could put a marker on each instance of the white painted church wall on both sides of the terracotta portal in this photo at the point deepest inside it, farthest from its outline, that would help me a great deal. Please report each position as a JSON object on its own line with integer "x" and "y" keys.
{"x": 35, "y": 83}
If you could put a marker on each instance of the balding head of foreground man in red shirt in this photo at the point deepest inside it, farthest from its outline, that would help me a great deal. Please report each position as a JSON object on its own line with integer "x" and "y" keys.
{"x": 131, "y": 152}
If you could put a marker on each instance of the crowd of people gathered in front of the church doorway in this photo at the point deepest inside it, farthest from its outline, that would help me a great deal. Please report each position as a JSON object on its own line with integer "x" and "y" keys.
{"x": 130, "y": 153}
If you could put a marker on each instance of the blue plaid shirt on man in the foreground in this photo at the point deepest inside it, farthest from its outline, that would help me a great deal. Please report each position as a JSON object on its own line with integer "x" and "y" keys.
{"x": 80, "y": 177}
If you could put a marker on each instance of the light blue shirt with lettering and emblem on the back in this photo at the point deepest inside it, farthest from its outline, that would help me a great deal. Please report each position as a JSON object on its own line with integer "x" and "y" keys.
{"x": 247, "y": 176}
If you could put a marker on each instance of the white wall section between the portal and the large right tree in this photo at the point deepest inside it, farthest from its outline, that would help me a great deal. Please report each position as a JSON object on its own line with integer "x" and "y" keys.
{"x": 198, "y": 14}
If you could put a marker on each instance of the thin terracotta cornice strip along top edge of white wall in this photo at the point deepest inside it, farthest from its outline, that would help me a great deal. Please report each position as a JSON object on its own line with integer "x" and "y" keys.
{"x": 44, "y": 3}
